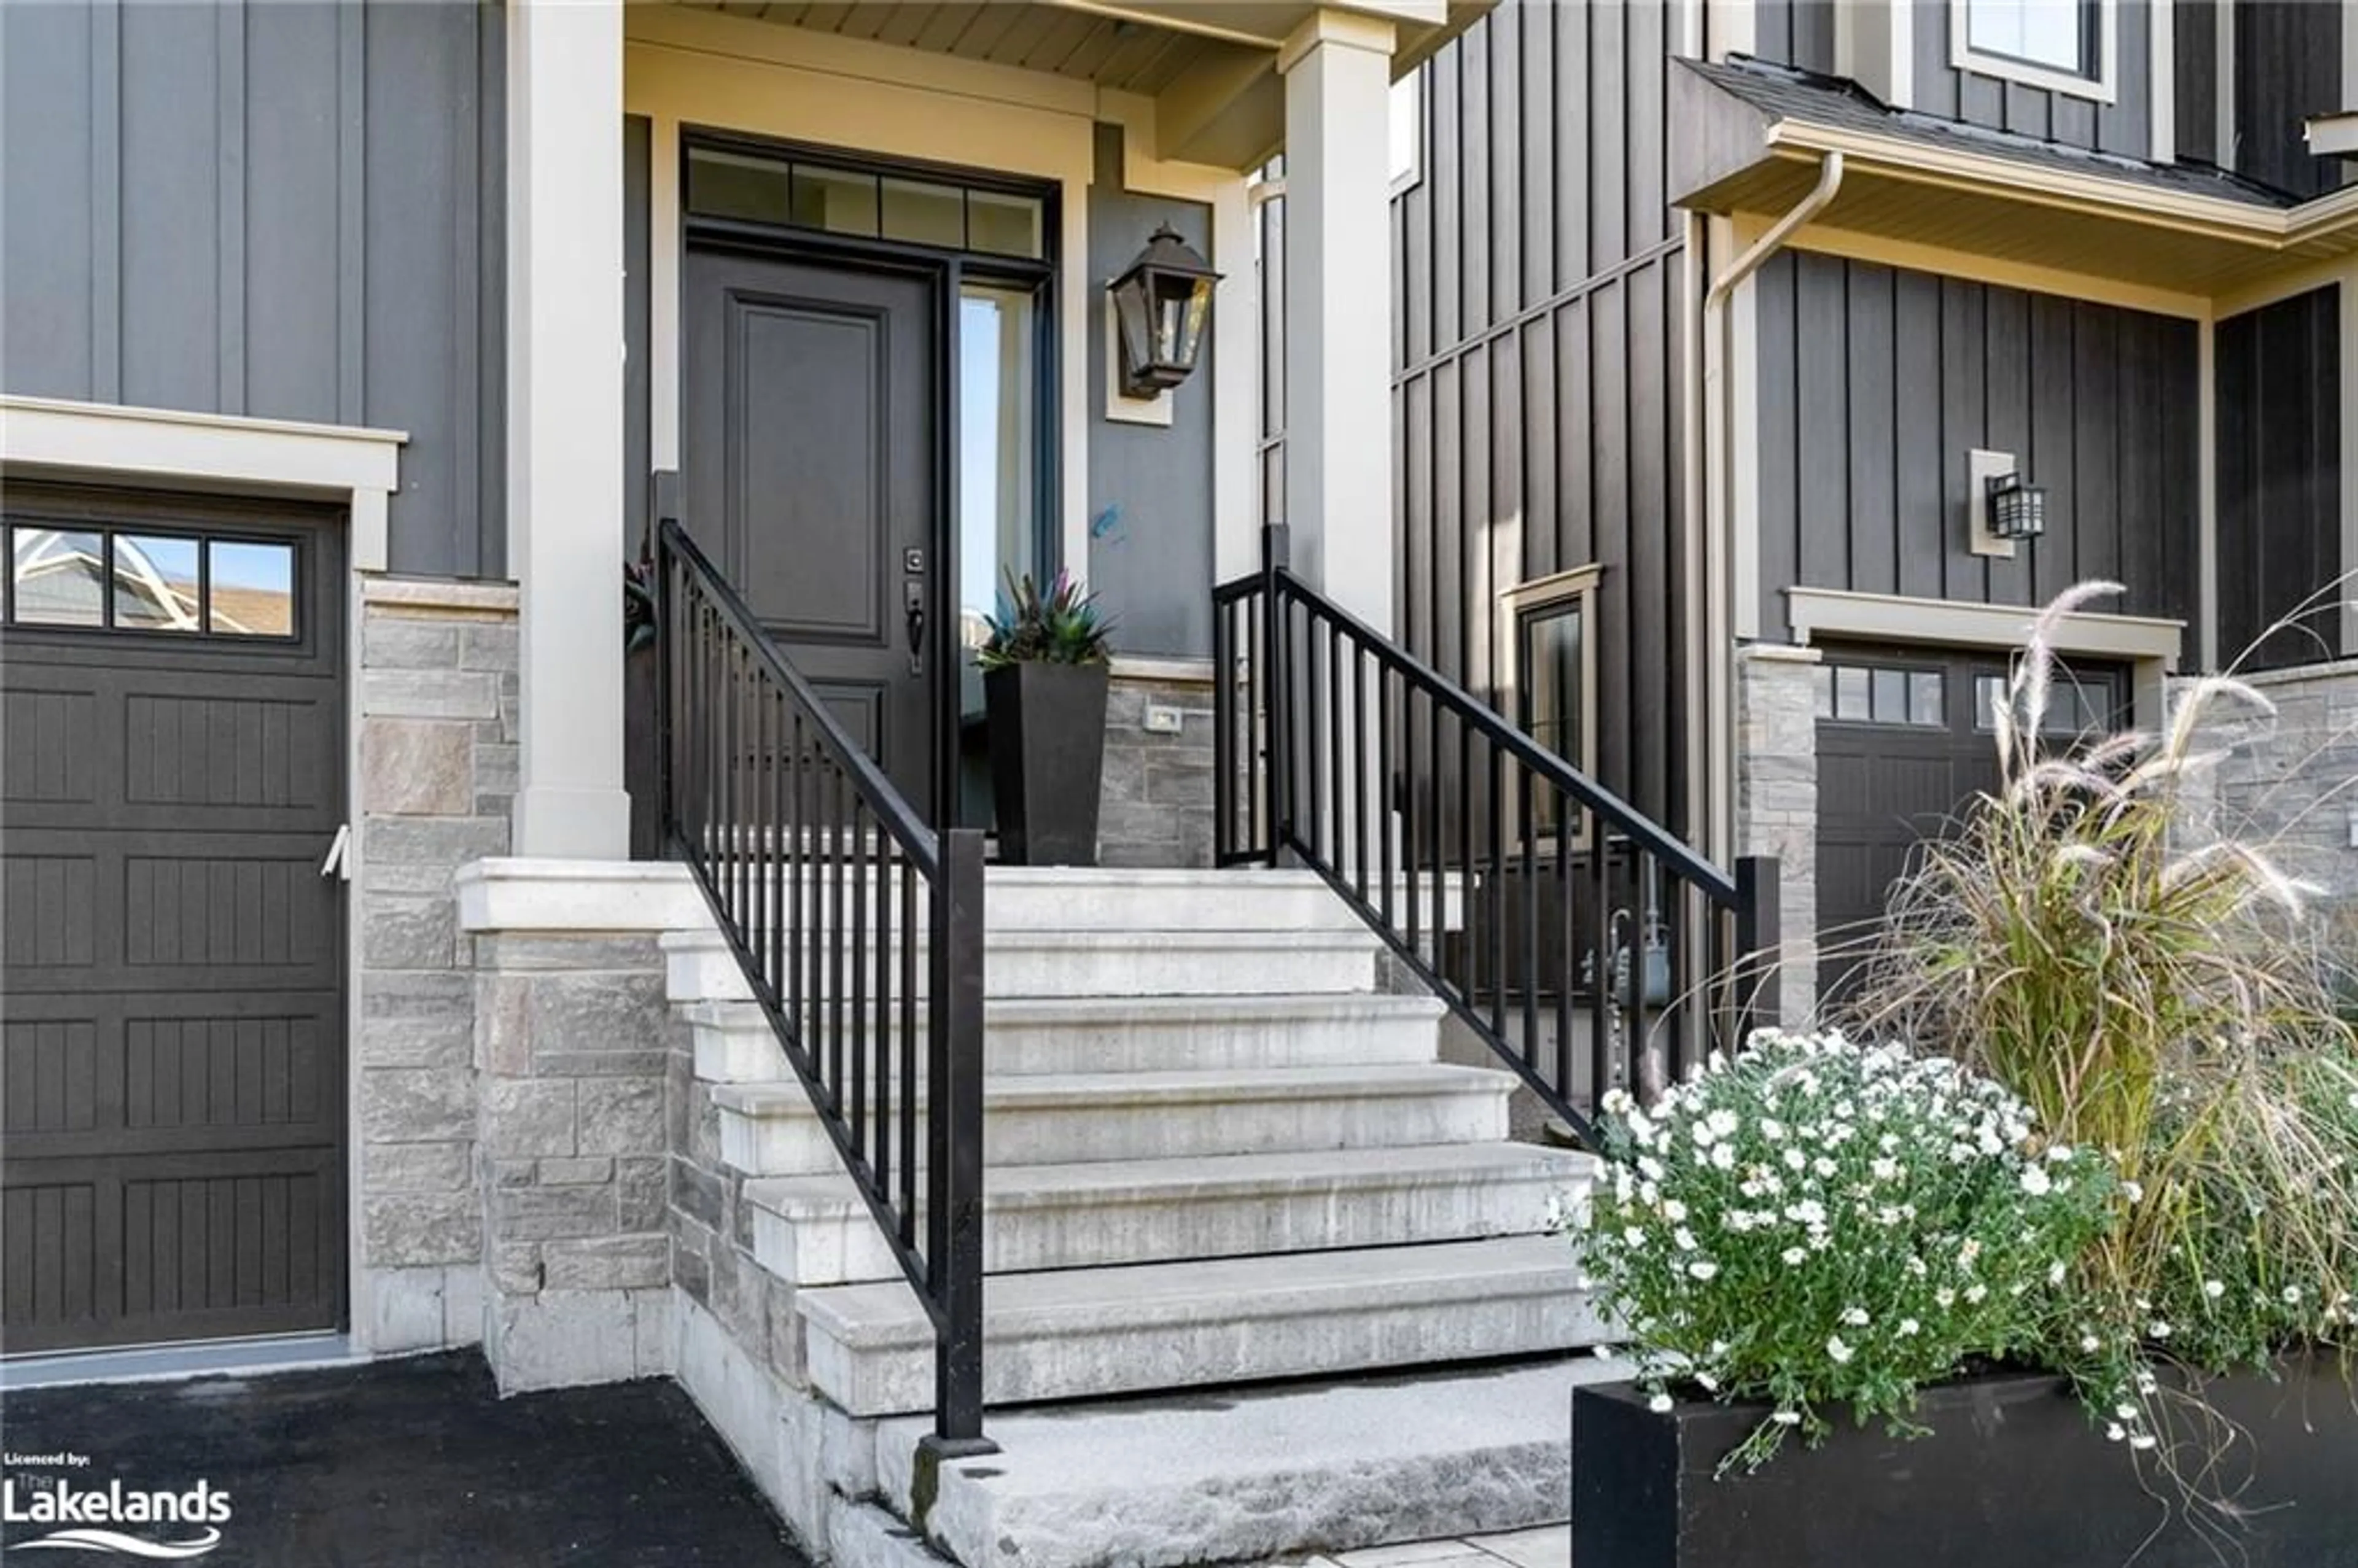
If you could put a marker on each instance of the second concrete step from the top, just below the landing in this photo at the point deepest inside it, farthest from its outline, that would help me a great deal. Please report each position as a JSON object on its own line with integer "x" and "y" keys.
{"x": 1022, "y": 963}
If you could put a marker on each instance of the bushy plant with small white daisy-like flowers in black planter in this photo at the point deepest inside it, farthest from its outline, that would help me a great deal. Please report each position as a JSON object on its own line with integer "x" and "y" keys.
{"x": 1831, "y": 1225}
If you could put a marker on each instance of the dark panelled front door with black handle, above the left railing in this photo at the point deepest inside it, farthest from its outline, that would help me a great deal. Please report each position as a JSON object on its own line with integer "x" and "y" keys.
{"x": 812, "y": 414}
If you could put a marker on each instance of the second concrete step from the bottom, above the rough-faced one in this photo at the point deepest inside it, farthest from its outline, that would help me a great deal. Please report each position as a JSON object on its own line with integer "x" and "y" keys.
{"x": 1091, "y": 1333}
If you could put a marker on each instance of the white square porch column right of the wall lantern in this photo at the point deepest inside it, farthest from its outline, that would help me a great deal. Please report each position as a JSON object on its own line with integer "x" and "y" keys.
{"x": 1338, "y": 310}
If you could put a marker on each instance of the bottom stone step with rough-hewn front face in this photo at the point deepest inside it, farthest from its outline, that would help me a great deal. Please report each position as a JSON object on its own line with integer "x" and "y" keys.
{"x": 1260, "y": 1475}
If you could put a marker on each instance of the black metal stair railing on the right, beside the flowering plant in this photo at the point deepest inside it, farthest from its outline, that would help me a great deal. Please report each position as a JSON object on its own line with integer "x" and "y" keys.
{"x": 1586, "y": 944}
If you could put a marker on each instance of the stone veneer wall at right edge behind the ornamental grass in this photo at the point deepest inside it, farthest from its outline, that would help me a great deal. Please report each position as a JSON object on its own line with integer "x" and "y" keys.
{"x": 2288, "y": 782}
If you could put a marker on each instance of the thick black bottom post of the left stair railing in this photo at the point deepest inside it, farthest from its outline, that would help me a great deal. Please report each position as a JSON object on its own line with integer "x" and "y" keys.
{"x": 956, "y": 1147}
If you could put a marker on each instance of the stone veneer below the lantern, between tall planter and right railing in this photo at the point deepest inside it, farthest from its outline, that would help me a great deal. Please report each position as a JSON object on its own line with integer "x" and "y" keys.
{"x": 1157, "y": 808}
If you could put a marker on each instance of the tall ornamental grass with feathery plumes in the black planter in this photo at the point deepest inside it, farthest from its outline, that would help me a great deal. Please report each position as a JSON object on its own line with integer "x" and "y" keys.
{"x": 2152, "y": 984}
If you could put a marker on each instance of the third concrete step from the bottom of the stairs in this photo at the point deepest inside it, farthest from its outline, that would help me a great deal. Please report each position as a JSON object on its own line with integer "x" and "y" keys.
{"x": 817, "y": 1230}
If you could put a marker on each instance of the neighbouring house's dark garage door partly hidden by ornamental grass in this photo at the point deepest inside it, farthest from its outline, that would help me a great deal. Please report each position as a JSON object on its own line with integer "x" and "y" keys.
{"x": 1904, "y": 749}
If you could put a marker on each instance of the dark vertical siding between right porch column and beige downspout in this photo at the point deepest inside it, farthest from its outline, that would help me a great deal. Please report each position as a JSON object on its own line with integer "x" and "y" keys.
{"x": 1539, "y": 357}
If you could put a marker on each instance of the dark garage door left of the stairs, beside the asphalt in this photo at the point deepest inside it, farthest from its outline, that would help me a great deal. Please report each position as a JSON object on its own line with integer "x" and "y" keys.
{"x": 171, "y": 973}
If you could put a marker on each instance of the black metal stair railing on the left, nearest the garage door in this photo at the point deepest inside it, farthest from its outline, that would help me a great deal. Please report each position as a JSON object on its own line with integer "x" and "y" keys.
{"x": 859, "y": 930}
